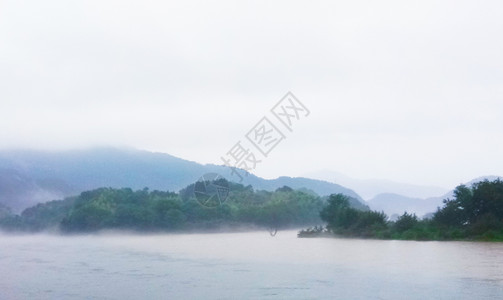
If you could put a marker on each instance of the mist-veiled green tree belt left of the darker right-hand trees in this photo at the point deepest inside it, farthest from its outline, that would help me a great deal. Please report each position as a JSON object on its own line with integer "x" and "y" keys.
{"x": 108, "y": 208}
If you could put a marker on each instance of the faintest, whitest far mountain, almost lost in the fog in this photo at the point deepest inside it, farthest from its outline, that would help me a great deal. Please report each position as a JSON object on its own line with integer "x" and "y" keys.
{"x": 369, "y": 188}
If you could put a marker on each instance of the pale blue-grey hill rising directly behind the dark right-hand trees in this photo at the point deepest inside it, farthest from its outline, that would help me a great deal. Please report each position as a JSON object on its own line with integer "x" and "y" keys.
{"x": 397, "y": 204}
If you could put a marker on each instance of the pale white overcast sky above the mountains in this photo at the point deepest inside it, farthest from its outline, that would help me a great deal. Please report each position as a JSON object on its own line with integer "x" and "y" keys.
{"x": 404, "y": 90}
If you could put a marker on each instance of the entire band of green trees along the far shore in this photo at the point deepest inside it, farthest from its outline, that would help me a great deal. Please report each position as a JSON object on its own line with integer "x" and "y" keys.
{"x": 475, "y": 212}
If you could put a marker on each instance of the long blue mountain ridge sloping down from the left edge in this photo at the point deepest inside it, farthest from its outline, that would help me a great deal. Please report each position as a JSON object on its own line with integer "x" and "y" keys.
{"x": 28, "y": 177}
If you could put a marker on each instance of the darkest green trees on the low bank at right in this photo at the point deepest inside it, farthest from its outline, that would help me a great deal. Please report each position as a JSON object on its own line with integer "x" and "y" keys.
{"x": 475, "y": 213}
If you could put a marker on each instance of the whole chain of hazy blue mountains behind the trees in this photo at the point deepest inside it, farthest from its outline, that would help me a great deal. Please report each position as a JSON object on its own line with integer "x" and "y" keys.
{"x": 28, "y": 177}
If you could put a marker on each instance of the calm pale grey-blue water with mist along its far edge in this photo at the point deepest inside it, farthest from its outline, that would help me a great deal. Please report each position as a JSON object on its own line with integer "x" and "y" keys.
{"x": 245, "y": 266}
